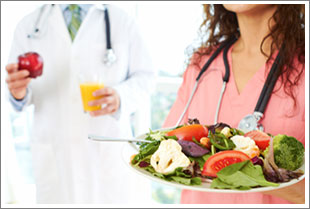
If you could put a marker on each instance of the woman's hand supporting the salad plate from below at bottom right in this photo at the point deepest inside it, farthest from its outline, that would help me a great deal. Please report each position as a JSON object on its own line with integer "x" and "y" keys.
{"x": 294, "y": 193}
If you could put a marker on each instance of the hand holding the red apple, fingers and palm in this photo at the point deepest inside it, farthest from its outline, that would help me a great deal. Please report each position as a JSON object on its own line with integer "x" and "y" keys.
{"x": 17, "y": 81}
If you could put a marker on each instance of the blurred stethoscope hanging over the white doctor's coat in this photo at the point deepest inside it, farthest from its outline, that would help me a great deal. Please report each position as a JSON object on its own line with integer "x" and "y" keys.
{"x": 109, "y": 56}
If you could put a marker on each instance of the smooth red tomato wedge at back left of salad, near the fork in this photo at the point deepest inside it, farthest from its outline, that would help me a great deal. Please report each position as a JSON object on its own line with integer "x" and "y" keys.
{"x": 189, "y": 131}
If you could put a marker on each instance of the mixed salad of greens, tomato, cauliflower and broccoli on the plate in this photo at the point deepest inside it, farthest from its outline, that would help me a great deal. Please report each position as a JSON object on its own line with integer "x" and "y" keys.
{"x": 224, "y": 157}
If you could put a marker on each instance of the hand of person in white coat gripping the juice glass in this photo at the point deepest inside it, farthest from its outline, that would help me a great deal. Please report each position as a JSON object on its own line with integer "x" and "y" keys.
{"x": 110, "y": 98}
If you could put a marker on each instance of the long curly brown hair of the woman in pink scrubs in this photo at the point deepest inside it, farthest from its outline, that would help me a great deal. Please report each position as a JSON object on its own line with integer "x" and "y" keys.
{"x": 219, "y": 24}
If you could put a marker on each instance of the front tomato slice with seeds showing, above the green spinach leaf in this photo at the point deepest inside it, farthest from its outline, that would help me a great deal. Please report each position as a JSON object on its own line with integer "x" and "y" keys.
{"x": 220, "y": 160}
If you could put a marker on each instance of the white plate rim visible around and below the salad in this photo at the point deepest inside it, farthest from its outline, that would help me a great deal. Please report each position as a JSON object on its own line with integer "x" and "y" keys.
{"x": 130, "y": 148}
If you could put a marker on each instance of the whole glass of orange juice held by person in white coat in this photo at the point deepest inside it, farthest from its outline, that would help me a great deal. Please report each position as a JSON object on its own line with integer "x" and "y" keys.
{"x": 88, "y": 84}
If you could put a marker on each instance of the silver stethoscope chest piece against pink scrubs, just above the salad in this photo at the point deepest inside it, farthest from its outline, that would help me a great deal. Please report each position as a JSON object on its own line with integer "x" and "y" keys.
{"x": 251, "y": 122}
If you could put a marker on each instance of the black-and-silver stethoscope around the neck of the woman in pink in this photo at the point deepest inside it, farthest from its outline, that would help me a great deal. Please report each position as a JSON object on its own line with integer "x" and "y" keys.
{"x": 249, "y": 122}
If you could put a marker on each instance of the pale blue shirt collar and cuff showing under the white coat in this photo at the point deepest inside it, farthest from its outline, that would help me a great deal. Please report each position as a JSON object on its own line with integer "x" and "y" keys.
{"x": 19, "y": 104}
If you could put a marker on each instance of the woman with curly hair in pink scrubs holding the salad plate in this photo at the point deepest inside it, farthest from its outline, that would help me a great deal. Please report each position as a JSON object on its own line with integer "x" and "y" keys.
{"x": 261, "y": 30}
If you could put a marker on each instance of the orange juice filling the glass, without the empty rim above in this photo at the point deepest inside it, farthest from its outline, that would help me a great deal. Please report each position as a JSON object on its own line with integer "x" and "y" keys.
{"x": 87, "y": 90}
